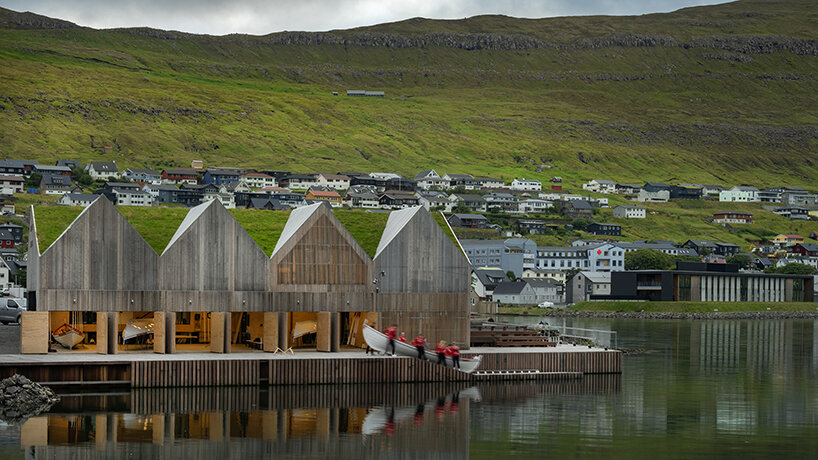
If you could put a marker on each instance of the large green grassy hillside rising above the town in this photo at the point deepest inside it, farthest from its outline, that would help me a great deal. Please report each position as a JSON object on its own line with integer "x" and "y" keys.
{"x": 722, "y": 94}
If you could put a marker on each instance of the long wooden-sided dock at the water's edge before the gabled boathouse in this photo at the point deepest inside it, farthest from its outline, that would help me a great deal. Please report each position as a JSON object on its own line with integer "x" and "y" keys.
{"x": 148, "y": 370}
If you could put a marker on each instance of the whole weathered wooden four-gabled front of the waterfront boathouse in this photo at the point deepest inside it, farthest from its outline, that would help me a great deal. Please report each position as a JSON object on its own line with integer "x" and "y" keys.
{"x": 418, "y": 280}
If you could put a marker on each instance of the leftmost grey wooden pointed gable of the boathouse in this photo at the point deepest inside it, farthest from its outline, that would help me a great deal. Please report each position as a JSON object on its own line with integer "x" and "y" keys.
{"x": 100, "y": 250}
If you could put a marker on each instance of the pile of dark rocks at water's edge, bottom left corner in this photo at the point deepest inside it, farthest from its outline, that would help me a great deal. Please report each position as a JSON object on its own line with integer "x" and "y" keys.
{"x": 20, "y": 399}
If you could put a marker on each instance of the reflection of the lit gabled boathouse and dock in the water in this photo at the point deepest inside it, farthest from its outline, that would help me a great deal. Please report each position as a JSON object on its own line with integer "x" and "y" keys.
{"x": 355, "y": 421}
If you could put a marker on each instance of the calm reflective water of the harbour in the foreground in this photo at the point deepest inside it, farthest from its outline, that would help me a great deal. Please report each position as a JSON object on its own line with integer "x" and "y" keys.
{"x": 708, "y": 389}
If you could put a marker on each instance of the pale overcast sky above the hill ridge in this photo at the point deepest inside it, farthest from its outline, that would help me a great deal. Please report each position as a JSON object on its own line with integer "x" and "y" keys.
{"x": 260, "y": 17}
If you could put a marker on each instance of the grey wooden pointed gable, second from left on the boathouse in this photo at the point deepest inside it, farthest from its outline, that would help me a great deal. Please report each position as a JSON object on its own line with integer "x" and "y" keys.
{"x": 210, "y": 251}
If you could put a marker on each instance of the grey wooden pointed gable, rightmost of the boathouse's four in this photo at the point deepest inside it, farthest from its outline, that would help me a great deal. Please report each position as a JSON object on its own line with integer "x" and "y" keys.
{"x": 415, "y": 255}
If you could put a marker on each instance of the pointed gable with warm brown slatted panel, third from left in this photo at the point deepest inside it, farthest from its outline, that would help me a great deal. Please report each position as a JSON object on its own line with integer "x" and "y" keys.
{"x": 315, "y": 248}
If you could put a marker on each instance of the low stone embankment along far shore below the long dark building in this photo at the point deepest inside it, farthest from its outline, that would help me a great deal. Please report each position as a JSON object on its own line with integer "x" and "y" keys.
{"x": 675, "y": 315}
